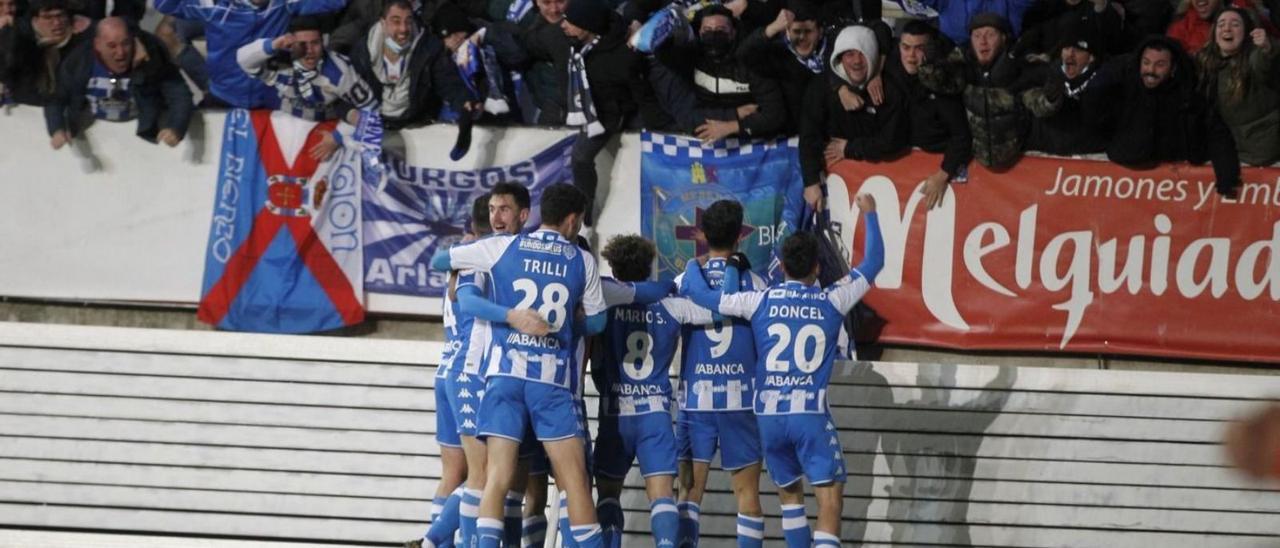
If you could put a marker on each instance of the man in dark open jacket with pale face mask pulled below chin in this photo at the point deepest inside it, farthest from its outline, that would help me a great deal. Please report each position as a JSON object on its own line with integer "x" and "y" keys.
{"x": 408, "y": 70}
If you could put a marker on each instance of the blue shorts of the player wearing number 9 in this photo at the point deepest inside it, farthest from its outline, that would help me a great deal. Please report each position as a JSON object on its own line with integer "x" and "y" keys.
{"x": 700, "y": 433}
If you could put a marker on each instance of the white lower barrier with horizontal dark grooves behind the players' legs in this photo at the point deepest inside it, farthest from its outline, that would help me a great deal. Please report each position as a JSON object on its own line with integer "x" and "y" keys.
{"x": 190, "y": 433}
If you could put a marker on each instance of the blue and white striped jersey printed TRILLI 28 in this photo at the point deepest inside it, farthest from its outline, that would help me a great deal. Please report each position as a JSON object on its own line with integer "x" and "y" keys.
{"x": 543, "y": 272}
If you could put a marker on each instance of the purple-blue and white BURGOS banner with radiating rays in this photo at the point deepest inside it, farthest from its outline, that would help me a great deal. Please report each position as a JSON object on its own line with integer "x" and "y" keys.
{"x": 420, "y": 209}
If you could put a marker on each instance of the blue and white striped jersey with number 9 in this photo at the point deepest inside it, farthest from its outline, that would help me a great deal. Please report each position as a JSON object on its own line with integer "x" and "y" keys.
{"x": 719, "y": 363}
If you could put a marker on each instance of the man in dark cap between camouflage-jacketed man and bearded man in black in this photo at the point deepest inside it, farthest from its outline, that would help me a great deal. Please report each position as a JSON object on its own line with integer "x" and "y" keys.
{"x": 1058, "y": 106}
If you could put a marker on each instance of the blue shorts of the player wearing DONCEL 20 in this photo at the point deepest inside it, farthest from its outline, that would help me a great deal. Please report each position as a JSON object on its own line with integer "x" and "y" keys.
{"x": 801, "y": 446}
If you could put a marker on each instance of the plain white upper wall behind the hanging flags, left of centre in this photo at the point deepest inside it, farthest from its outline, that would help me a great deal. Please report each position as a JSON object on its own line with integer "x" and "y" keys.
{"x": 120, "y": 220}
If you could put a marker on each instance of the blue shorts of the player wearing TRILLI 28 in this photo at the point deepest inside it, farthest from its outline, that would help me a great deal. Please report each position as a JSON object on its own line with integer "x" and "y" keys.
{"x": 511, "y": 405}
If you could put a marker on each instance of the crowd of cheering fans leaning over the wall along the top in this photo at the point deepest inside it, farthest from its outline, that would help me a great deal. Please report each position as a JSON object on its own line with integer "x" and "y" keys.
{"x": 1141, "y": 81}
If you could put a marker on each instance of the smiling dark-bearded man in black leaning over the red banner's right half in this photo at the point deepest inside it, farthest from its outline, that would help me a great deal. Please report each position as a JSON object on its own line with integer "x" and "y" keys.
{"x": 1158, "y": 116}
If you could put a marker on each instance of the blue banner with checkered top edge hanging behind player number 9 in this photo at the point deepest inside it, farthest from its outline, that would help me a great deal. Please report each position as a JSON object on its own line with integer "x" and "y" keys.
{"x": 680, "y": 177}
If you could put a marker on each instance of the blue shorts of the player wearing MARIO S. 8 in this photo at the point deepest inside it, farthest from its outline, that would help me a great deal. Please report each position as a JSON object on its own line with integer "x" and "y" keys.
{"x": 646, "y": 437}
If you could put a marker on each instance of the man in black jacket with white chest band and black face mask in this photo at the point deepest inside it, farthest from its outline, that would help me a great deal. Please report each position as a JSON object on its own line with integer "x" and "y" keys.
{"x": 708, "y": 92}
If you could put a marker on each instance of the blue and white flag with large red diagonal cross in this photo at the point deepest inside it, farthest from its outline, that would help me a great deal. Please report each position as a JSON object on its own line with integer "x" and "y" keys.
{"x": 285, "y": 246}
